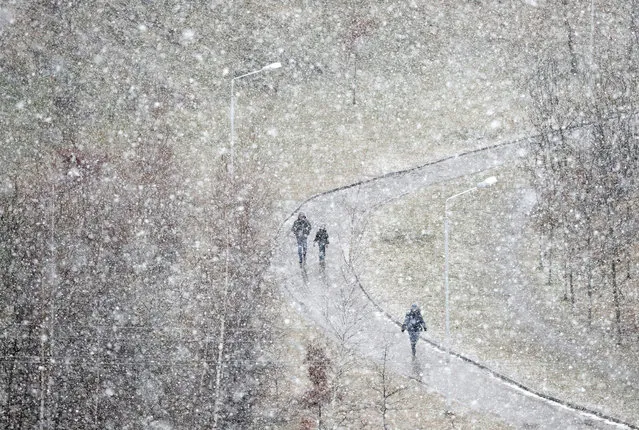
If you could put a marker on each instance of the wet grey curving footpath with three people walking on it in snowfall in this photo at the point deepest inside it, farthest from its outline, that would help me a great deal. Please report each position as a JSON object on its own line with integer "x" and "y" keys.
{"x": 333, "y": 300}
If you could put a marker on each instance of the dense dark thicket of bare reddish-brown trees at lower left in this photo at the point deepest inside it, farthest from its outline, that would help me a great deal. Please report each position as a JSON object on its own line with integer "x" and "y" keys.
{"x": 111, "y": 309}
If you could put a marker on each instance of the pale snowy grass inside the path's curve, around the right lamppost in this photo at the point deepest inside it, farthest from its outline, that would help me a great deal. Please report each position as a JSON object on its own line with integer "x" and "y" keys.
{"x": 502, "y": 311}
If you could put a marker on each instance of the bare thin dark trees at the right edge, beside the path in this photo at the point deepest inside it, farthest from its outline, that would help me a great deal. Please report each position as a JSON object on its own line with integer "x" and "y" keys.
{"x": 585, "y": 167}
